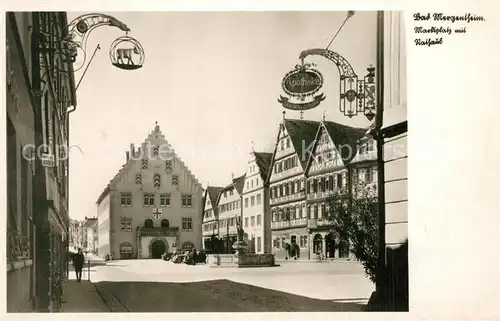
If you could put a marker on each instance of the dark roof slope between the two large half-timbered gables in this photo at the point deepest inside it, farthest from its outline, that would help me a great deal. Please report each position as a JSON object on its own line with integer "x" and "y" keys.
{"x": 302, "y": 133}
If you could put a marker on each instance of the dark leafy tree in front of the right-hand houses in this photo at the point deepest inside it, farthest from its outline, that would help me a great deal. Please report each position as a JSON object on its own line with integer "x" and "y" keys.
{"x": 354, "y": 216}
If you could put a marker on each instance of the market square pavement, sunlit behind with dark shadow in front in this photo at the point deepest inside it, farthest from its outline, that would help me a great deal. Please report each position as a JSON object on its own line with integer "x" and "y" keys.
{"x": 161, "y": 286}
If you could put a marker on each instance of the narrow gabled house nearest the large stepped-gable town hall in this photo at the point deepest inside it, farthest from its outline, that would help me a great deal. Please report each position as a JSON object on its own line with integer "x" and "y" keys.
{"x": 210, "y": 217}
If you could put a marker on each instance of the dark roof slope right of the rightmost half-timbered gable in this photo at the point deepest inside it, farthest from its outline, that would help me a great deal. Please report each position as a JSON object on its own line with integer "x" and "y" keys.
{"x": 343, "y": 135}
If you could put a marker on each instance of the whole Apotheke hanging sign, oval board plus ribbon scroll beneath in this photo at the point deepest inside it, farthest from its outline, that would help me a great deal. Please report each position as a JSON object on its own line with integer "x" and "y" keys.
{"x": 300, "y": 83}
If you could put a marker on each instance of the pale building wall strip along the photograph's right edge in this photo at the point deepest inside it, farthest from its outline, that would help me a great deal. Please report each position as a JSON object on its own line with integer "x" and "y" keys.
{"x": 395, "y": 134}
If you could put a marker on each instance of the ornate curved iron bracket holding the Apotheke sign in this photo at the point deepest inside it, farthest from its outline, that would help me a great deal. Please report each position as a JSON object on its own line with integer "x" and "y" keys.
{"x": 356, "y": 95}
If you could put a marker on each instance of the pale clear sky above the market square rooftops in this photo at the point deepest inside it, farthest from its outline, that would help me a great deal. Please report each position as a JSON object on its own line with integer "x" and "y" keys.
{"x": 211, "y": 80}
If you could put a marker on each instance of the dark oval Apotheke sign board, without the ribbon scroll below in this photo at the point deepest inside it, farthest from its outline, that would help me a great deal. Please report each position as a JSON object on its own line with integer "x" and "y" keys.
{"x": 302, "y": 82}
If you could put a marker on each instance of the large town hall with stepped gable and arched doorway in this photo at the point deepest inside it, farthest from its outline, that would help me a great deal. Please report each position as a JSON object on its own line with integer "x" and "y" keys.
{"x": 155, "y": 203}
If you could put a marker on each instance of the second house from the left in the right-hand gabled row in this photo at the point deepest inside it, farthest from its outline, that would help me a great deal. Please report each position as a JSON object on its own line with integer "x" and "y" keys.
{"x": 229, "y": 203}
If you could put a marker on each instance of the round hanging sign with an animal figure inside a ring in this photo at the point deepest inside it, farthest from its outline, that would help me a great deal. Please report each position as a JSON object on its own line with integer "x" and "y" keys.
{"x": 126, "y": 53}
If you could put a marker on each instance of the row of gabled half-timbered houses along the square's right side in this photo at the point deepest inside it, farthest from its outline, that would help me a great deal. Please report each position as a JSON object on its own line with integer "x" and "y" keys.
{"x": 282, "y": 200}
